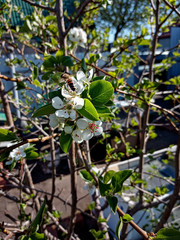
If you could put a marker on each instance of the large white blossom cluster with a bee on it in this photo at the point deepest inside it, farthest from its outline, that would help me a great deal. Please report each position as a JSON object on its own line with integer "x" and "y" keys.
{"x": 67, "y": 116}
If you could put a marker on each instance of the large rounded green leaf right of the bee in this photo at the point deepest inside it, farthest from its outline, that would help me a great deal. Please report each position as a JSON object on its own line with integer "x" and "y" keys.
{"x": 100, "y": 92}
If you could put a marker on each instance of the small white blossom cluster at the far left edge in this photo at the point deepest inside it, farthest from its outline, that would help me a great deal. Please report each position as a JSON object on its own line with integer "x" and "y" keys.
{"x": 17, "y": 153}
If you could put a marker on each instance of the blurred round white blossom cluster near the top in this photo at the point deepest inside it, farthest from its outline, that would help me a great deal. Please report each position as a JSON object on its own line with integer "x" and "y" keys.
{"x": 78, "y": 35}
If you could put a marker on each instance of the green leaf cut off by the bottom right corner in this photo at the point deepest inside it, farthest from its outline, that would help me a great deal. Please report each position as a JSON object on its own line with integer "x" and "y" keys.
{"x": 168, "y": 234}
